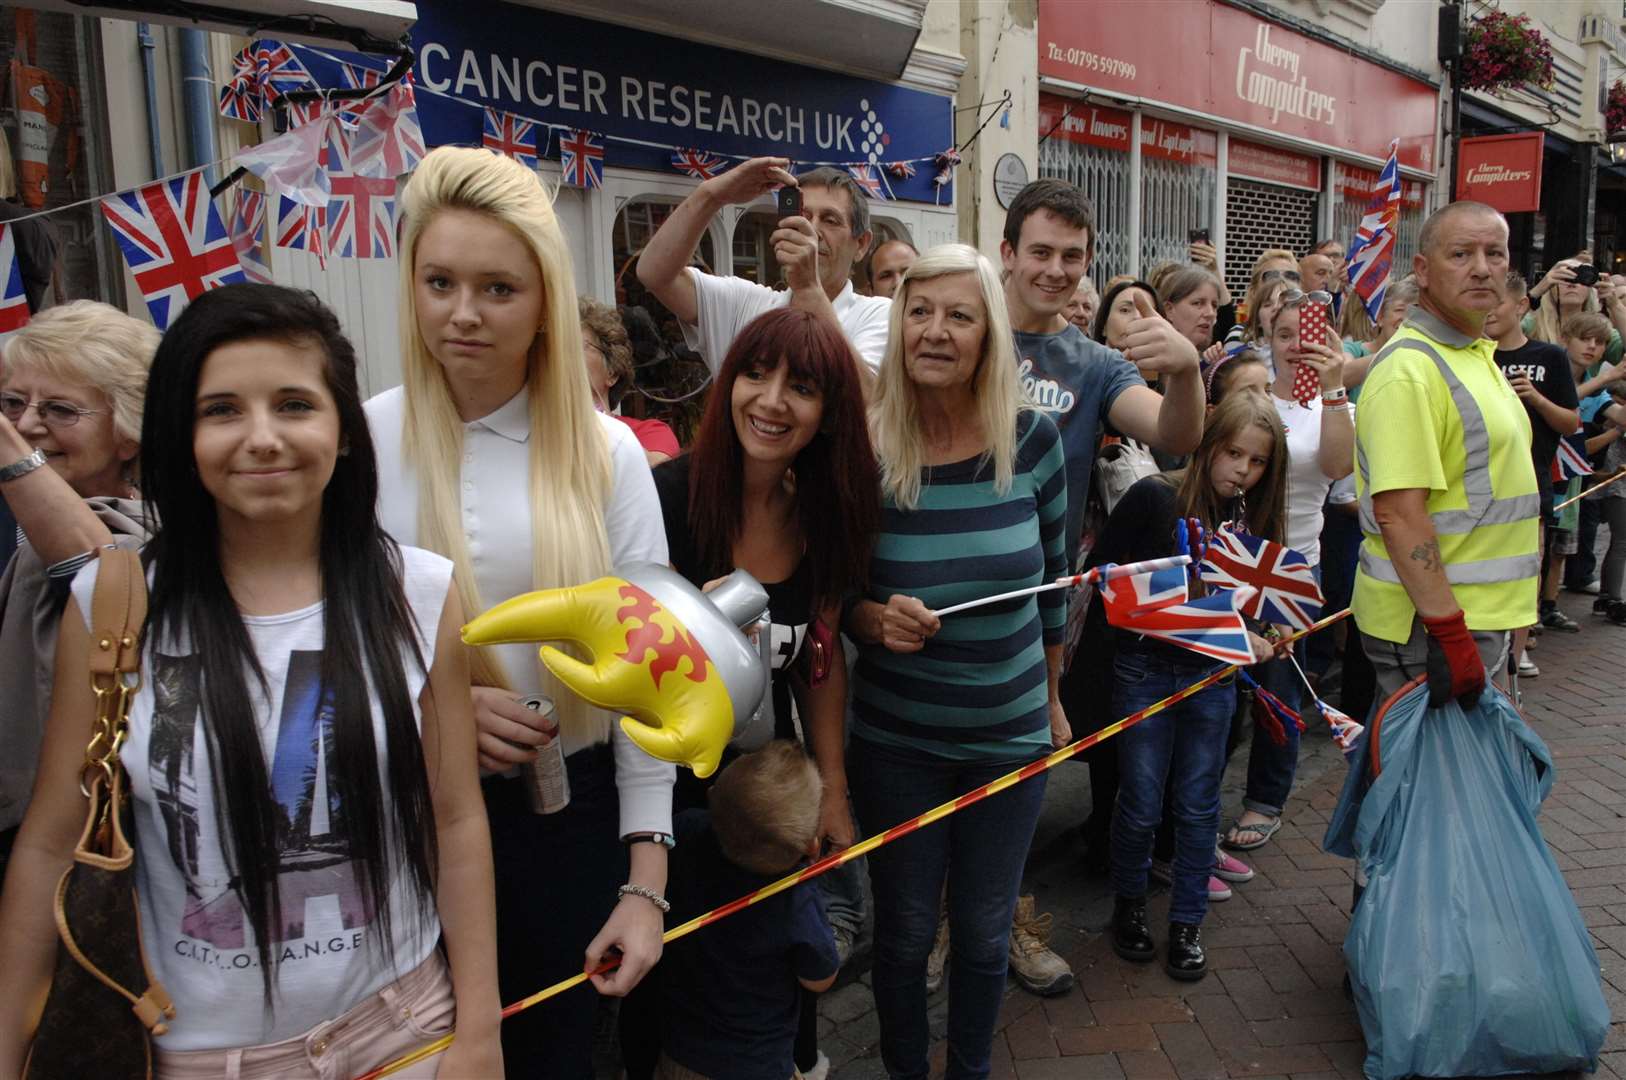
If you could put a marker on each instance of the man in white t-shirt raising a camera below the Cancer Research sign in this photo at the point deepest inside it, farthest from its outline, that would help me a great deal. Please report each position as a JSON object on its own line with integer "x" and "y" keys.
{"x": 824, "y": 232}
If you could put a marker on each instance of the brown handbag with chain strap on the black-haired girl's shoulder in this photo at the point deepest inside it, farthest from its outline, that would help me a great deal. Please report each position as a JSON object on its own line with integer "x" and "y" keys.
{"x": 105, "y": 1006}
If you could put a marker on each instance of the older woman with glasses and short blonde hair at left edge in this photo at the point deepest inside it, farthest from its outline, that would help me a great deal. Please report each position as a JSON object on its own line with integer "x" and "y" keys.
{"x": 72, "y": 388}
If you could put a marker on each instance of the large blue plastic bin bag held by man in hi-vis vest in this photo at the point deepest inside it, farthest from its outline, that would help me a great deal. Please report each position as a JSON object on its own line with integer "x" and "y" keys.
{"x": 1466, "y": 954}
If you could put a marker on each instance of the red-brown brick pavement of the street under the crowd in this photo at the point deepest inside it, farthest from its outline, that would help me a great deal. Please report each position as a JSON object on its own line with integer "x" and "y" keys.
{"x": 1272, "y": 1006}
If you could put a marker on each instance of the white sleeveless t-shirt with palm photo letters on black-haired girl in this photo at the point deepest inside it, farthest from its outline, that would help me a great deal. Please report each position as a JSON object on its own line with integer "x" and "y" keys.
{"x": 196, "y": 933}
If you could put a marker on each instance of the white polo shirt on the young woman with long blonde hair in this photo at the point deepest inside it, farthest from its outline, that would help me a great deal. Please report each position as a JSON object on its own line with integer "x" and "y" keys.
{"x": 497, "y": 494}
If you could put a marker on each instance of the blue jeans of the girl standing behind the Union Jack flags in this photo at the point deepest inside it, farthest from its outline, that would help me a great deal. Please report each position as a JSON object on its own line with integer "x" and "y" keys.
{"x": 1183, "y": 749}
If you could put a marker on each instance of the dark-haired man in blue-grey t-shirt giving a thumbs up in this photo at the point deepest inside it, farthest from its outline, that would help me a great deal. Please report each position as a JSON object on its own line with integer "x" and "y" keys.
{"x": 1050, "y": 242}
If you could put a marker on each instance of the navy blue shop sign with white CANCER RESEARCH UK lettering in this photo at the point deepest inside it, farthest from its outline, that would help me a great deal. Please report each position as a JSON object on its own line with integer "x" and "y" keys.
{"x": 663, "y": 92}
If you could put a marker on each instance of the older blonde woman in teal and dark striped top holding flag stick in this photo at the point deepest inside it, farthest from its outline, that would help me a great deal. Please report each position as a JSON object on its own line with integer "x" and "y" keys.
{"x": 975, "y": 502}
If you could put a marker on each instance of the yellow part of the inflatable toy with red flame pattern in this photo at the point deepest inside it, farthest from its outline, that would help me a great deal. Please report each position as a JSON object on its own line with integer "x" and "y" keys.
{"x": 646, "y": 664}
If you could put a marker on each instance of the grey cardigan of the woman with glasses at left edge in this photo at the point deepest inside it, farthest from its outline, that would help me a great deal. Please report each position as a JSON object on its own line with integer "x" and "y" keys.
{"x": 32, "y": 604}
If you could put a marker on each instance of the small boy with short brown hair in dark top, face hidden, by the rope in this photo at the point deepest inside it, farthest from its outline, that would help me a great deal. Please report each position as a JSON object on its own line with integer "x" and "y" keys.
{"x": 731, "y": 996}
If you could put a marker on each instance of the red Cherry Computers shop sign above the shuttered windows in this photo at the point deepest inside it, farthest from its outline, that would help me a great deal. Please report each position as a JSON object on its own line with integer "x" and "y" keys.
{"x": 1217, "y": 59}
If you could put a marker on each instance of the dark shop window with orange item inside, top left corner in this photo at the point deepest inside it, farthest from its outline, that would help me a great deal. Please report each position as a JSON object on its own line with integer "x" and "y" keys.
{"x": 51, "y": 134}
